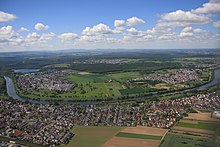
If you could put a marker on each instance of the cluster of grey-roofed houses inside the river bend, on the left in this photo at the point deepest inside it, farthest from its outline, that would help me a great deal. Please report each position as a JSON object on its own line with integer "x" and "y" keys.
{"x": 48, "y": 81}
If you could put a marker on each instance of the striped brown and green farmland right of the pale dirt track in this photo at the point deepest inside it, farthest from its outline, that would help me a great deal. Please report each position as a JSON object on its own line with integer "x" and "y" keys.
{"x": 198, "y": 129}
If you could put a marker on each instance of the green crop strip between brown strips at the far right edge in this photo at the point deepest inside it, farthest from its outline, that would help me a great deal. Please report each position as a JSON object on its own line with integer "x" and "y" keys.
{"x": 201, "y": 125}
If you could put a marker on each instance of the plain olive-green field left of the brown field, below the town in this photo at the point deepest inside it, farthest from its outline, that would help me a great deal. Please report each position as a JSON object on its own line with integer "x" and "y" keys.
{"x": 92, "y": 136}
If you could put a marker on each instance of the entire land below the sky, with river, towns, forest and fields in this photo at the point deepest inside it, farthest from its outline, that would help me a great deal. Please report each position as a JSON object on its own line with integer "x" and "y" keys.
{"x": 136, "y": 98}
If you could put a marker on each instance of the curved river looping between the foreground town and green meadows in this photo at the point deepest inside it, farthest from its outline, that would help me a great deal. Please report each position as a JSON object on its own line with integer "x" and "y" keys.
{"x": 12, "y": 92}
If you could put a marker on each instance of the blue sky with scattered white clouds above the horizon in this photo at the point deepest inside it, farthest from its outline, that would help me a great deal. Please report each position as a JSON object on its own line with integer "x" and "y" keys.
{"x": 56, "y": 24}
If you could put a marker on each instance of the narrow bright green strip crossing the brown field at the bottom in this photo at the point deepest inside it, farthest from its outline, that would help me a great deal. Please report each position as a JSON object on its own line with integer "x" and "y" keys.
{"x": 141, "y": 136}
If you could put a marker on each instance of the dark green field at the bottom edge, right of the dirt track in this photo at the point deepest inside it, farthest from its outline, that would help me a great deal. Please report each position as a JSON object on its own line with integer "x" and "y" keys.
{"x": 179, "y": 140}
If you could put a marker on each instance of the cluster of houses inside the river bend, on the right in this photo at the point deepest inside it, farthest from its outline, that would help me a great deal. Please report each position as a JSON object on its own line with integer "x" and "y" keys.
{"x": 180, "y": 76}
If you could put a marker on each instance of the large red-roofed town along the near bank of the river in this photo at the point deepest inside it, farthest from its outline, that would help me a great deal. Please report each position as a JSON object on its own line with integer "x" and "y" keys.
{"x": 51, "y": 125}
